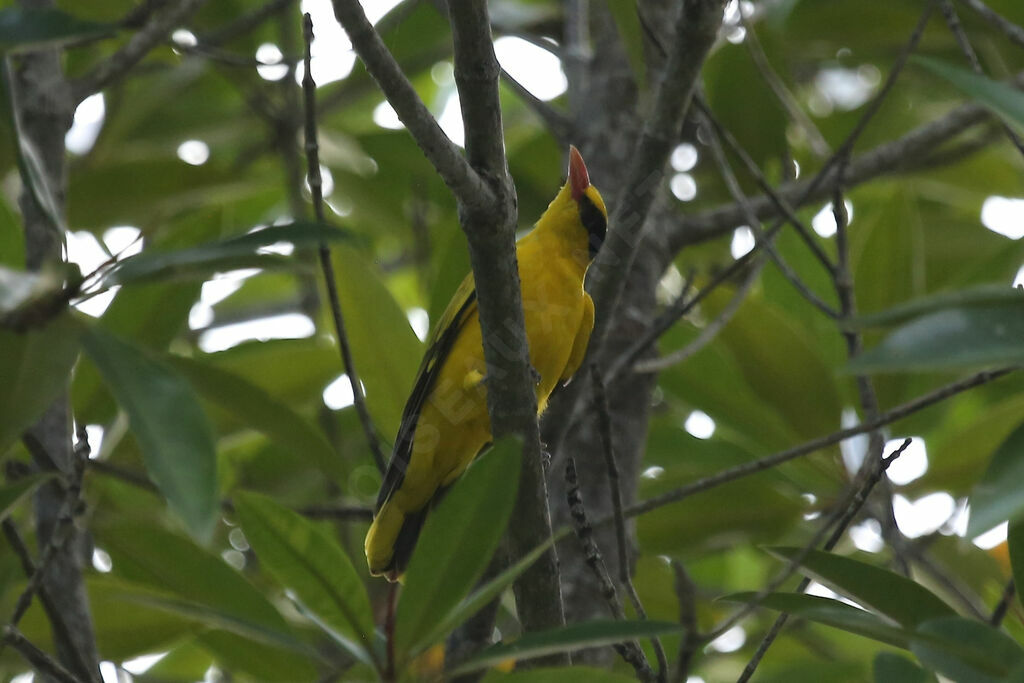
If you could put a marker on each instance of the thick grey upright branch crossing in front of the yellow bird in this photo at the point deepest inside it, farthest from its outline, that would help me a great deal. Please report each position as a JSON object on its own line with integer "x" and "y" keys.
{"x": 490, "y": 230}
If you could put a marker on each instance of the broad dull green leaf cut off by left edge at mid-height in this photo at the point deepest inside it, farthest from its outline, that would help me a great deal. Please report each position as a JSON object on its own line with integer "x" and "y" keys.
{"x": 35, "y": 367}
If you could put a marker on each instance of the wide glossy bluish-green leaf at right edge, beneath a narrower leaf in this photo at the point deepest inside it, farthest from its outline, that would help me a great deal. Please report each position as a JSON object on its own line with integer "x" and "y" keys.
{"x": 970, "y": 336}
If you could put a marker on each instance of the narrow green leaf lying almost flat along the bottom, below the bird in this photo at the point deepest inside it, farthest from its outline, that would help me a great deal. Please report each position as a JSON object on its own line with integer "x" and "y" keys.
{"x": 577, "y": 636}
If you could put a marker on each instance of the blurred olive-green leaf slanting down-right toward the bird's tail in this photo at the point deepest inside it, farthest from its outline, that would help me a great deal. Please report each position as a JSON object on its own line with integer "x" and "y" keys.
{"x": 261, "y": 411}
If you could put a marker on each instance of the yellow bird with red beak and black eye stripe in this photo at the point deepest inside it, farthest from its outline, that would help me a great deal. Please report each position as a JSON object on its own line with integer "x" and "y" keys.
{"x": 446, "y": 424}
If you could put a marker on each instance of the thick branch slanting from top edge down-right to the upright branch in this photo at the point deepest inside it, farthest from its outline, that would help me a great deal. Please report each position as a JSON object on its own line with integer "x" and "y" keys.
{"x": 443, "y": 153}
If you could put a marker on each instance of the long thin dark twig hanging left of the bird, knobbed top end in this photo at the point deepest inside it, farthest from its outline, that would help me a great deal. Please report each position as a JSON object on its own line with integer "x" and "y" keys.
{"x": 317, "y": 190}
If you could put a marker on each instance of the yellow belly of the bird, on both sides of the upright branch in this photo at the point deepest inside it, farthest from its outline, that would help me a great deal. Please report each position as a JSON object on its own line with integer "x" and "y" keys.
{"x": 454, "y": 425}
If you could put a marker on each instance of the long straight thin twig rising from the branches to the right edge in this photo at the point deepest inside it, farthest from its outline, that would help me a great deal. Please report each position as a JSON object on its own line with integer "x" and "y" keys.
{"x": 770, "y": 462}
